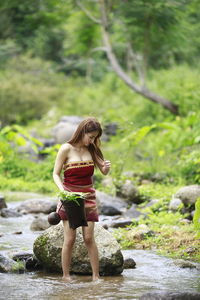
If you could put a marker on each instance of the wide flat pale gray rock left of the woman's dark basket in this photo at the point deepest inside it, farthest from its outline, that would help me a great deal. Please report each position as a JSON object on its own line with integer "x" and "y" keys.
{"x": 37, "y": 206}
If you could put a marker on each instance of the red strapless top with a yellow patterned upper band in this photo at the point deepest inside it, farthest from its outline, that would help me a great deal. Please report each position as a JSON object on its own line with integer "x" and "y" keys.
{"x": 79, "y": 173}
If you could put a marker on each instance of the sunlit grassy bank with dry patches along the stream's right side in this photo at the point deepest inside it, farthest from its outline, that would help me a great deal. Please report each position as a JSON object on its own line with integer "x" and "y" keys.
{"x": 170, "y": 233}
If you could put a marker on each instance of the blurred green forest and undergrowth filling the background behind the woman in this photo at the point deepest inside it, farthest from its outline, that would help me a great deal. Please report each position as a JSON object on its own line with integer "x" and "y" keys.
{"x": 132, "y": 63}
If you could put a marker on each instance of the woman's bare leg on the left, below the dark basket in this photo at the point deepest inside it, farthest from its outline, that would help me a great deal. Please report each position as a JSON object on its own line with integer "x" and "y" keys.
{"x": 69, "y": 240}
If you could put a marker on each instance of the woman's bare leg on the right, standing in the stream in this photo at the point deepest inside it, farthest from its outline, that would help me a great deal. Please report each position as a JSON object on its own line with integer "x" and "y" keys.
{"x": 88, "y": 236}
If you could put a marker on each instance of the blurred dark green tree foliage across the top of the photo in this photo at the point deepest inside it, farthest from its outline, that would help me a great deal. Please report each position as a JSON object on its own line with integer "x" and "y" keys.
{"x": 160, "y": 32}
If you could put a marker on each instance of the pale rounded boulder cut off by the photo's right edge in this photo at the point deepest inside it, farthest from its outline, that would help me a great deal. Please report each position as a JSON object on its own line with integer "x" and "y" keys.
{"x": 188, "y": 194}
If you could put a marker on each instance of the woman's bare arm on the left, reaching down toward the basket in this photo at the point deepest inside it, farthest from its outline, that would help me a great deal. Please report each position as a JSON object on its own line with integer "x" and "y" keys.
{"x": 61, "y": 157}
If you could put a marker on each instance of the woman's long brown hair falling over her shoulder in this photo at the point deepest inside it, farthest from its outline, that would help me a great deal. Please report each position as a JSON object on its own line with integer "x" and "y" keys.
{"x": 86, "y": 126}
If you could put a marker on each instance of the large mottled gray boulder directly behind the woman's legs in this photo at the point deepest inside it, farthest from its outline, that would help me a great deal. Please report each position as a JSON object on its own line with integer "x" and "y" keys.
{"x": 47, "y": 249}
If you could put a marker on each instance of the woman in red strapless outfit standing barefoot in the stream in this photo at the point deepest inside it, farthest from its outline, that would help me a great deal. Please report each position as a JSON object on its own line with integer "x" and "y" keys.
{"x": 78, "y": 157}
